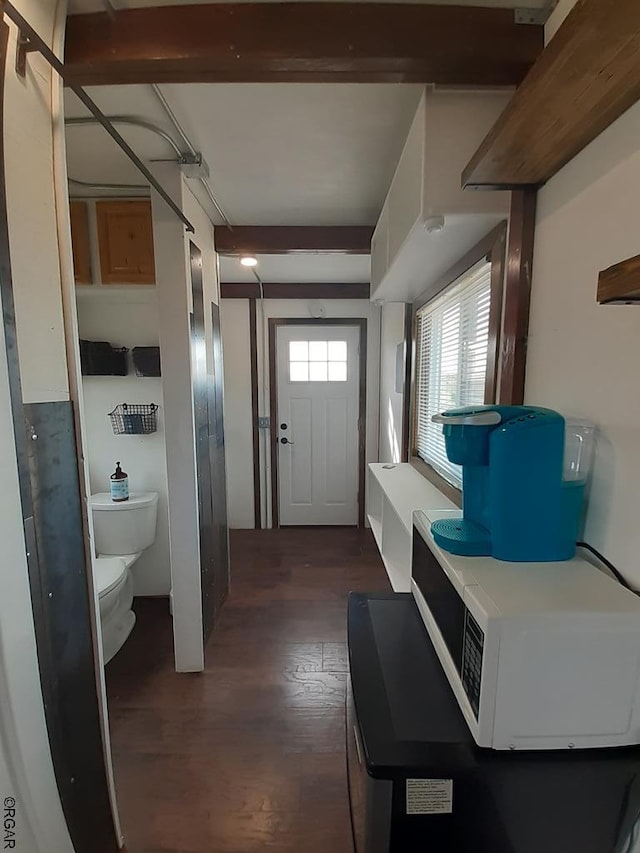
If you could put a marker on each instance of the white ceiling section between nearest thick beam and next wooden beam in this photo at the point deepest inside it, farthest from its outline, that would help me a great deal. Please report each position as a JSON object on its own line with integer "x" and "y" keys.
{"x": 279, "y": 154}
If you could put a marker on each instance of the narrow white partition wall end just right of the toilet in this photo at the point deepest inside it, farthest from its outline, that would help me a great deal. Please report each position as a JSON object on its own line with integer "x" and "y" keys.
{"x": 171, "y": 247}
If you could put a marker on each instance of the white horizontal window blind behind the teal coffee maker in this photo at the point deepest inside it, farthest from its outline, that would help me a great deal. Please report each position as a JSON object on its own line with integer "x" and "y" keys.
{"x": 452, "y": 347}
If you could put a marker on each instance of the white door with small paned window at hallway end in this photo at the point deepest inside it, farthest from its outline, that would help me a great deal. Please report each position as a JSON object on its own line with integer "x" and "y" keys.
{"x": 317, "y": 423}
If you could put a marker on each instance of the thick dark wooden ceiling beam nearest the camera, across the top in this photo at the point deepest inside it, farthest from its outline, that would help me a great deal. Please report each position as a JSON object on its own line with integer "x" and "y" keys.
{"x": 301, "y": 42}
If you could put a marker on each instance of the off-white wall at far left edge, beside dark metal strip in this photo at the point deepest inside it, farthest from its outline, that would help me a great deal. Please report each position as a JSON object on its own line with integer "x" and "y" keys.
{"x": 26, "y": 770}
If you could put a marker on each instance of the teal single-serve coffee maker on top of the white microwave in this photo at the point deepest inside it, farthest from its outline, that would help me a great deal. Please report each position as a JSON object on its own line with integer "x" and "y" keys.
{"x": 523, "y": 477}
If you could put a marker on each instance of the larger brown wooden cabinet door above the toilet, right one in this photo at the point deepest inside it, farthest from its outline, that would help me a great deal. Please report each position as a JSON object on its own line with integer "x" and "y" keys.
{"x": 125, "y": 236}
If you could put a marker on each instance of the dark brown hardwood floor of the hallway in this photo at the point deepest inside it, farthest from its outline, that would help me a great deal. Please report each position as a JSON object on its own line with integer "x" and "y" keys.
{"x": 248, "y": 755}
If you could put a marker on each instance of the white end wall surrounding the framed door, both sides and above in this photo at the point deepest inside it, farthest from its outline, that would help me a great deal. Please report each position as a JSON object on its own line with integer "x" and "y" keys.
{"x": 235, "y": 323}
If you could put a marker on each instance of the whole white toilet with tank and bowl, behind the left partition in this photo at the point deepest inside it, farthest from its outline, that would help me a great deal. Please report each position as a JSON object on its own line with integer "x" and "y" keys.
{"x": 122, "y": 532}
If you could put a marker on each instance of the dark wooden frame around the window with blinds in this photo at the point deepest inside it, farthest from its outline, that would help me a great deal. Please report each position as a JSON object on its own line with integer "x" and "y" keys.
{"x": 492, "y": 247}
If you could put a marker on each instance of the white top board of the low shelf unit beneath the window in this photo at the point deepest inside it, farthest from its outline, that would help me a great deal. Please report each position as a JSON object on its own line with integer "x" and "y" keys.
{"x": 407, "y": 490}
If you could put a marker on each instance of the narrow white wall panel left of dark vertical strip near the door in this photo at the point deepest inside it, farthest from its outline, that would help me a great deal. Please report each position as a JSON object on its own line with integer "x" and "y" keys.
{"x": 238, "y": 427}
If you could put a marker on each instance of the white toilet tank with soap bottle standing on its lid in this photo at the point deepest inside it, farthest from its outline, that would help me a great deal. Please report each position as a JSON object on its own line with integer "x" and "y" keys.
{"x": 127, "y": 527}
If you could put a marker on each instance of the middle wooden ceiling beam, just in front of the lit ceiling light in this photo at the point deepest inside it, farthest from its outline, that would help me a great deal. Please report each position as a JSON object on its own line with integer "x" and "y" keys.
{"x": 293, "y": 239}
